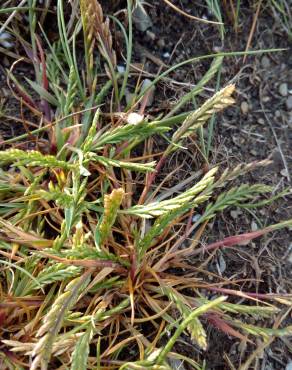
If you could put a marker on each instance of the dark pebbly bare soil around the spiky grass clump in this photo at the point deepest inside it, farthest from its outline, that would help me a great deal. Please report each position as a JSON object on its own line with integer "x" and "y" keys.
{"x": 257, "y": 127}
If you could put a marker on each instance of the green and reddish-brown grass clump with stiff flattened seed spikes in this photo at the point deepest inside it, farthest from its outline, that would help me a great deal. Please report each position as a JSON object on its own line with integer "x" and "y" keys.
{"x": 96, "y": 273}
